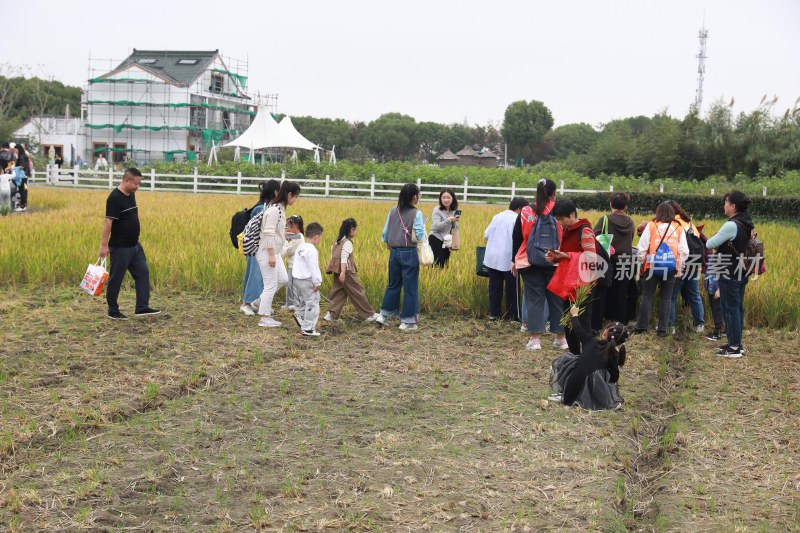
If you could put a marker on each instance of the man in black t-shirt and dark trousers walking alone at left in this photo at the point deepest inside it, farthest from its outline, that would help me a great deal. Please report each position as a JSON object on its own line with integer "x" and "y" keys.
{"x": 120, "y": 240}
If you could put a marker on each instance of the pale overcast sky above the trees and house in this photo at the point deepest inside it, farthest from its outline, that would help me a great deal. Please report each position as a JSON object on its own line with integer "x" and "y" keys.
{"x": 587, "y": 60}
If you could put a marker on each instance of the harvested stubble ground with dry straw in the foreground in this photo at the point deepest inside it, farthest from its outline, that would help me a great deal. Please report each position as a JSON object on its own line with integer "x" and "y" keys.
{"x": 198, "y": 420}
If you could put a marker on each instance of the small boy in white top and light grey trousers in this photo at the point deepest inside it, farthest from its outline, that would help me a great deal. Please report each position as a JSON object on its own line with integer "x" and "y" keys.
{"x": 307, "y": 280}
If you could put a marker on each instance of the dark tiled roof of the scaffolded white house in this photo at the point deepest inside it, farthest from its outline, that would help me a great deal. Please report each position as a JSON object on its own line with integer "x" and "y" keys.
{"x": 165, "y": 63}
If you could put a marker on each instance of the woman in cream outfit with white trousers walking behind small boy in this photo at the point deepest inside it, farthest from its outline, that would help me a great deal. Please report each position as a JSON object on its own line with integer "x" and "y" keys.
{"x": 272, "y": 237}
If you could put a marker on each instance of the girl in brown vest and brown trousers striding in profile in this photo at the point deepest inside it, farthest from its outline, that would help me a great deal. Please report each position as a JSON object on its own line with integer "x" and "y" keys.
{"x": 345, "y": 277}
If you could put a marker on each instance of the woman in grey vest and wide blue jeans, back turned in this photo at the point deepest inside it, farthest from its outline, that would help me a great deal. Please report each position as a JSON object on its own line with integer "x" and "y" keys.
{"x": 403, "y": 229}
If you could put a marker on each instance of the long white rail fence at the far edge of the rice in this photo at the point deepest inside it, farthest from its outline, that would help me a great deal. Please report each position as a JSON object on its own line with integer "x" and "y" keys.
{"x": 198, "y": 183}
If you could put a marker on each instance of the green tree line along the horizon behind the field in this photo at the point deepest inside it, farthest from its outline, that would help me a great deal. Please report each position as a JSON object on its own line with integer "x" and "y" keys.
{"x": 762, "y": 142}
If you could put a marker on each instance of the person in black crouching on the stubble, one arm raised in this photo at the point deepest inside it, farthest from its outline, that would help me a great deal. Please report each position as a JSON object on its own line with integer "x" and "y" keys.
{"x": 589, "y": 380}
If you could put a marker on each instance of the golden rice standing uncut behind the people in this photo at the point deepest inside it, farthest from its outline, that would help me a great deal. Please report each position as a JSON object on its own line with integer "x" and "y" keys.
{"x": 186, "y": 240}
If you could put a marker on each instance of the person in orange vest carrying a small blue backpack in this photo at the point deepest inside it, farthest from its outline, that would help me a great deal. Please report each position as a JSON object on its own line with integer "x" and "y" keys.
{"x": 663, "y": 251}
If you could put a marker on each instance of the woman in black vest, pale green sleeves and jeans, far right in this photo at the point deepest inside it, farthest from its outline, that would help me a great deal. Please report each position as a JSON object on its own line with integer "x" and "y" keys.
{"x": 730, "y": 242}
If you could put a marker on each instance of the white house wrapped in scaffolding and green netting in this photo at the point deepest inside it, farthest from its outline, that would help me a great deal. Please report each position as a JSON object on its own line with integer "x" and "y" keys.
{"x": 166, "y": 105}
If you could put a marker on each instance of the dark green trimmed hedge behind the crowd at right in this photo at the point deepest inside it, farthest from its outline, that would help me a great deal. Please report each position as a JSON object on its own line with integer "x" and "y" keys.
{"x": 782, "y": 208}
